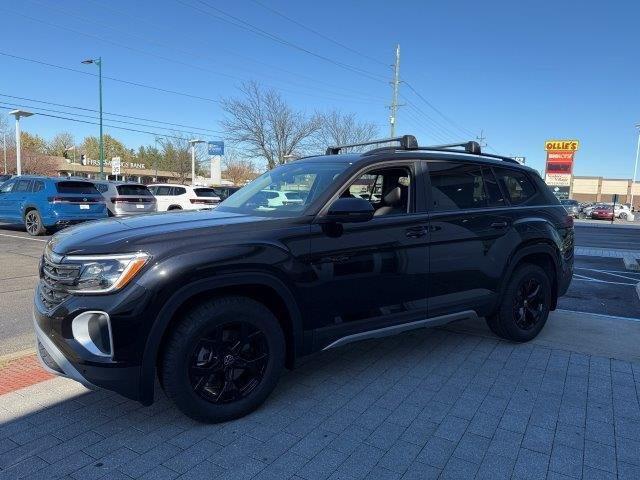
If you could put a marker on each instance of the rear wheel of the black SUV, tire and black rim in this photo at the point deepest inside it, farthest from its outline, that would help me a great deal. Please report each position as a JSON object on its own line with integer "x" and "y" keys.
{"x": 514, "y": 320}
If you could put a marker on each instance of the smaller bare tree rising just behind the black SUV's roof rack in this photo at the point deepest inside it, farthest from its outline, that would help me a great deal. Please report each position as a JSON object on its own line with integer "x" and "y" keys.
{"x": 342, "y": 129}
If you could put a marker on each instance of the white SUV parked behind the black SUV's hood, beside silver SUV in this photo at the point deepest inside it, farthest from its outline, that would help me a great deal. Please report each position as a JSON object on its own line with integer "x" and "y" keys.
{"x": 172, "y": 197}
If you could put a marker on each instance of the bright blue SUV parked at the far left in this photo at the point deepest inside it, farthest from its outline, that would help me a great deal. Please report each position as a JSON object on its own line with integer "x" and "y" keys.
{"x": 45, "y": 202}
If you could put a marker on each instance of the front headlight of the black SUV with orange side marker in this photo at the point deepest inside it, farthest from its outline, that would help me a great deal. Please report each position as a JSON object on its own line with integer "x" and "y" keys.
{"x": 105, "y": 273}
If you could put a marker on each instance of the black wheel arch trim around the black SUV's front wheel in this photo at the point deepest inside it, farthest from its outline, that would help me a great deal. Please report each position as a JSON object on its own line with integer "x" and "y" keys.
{"x": 262, "y": 287}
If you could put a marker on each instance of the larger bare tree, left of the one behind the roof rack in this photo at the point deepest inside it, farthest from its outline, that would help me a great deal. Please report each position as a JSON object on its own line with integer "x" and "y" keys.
{"x": 263, "y": 123}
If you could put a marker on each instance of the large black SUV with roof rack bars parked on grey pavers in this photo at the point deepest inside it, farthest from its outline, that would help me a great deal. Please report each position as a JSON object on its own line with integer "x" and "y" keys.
{"x": 216, "y": 303}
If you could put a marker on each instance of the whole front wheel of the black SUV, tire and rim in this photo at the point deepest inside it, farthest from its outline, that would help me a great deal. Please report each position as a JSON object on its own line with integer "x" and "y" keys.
{"x": 202, "y": 373}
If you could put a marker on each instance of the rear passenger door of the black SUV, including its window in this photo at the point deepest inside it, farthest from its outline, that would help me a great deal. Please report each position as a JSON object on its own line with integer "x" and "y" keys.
{"x": 469, "y": 236}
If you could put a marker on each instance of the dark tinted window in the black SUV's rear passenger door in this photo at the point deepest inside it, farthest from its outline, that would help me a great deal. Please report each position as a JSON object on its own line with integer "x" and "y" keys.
{"x": 458, "y": 186}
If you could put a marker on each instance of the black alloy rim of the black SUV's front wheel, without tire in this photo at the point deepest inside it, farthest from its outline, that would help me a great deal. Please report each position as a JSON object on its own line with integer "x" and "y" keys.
{"x": 229, "y": 362}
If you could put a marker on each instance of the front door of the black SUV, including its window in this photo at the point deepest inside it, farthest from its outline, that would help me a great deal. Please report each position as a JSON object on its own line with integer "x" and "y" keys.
{"x": 372, "y": 274}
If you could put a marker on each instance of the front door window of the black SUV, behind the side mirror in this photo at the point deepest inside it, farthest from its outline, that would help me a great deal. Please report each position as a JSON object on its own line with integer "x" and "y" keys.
{"x": 388, "y": 190}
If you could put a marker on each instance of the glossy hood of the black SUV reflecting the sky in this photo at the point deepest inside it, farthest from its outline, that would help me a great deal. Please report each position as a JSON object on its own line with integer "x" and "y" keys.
{"x": 143, "y": 231}
